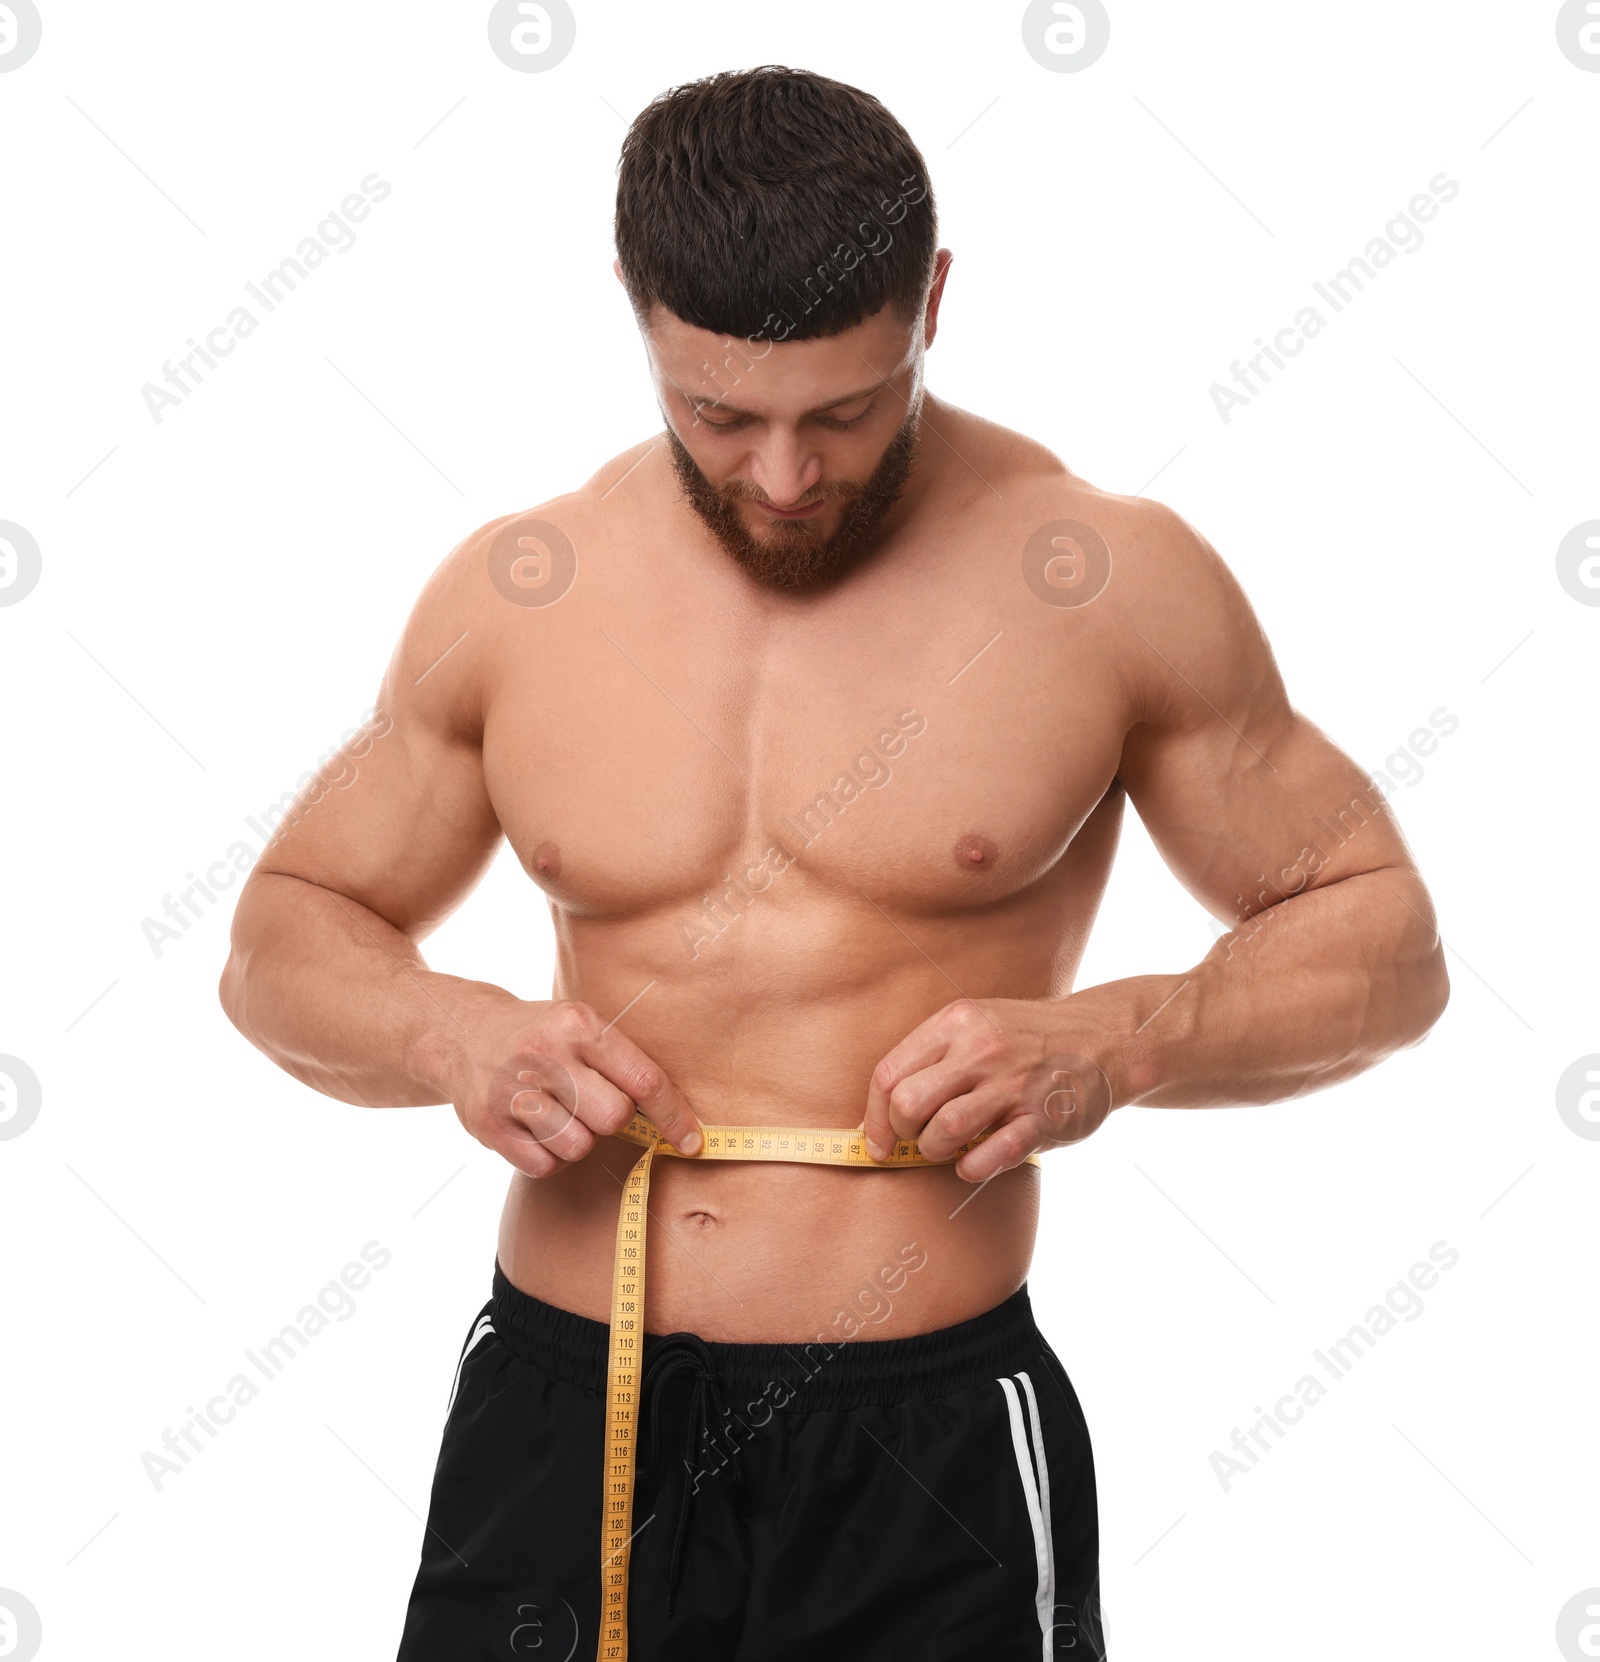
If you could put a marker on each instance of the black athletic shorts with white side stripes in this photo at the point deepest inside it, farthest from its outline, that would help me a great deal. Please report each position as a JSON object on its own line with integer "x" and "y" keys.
{"x": 928, "y": 1497}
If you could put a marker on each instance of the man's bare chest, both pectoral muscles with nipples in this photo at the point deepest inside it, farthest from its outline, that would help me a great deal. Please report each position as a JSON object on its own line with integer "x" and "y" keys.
{"x": 931, "y": 757}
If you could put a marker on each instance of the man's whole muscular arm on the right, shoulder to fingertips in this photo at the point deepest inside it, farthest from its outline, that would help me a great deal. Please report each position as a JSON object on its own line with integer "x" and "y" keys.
{"x": 1333, "y": 960}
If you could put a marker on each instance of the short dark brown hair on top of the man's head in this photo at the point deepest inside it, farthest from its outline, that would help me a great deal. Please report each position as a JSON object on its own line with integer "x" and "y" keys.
{"x": 773, "y": 204}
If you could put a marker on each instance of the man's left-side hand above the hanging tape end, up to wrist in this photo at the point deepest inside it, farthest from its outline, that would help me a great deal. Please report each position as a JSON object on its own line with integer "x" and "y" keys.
{"x": 539, "y": 1083}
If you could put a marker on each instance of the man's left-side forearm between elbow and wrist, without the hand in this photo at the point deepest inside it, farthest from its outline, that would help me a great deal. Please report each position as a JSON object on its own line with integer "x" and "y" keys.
{"x": 341, "y": 1000}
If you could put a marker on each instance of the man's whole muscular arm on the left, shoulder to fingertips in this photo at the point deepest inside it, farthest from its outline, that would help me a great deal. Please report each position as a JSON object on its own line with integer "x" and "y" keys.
{"x": 326, "y": 973}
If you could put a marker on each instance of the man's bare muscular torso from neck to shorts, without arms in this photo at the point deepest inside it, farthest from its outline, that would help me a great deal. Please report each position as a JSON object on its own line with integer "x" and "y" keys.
{"x": 782, "y": 832}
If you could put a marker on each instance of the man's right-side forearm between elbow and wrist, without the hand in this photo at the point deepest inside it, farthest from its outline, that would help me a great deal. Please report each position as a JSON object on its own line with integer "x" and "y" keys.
{"x": 1303, "y": 995}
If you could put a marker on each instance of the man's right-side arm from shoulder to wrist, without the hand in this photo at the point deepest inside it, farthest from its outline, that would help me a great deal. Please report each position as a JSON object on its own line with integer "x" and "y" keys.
{"x": 1333, "y": 960}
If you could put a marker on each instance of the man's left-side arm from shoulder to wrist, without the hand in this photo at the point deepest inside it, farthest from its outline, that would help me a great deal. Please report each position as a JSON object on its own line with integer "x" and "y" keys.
{"x": 326, "y": 975}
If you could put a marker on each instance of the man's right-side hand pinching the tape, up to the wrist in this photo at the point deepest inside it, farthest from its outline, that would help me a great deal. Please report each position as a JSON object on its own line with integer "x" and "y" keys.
{"x": 1009, "y": 1066}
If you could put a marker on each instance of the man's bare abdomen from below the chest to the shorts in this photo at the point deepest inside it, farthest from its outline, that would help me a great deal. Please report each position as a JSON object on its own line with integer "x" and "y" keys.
{"x": 768, "y": 1252}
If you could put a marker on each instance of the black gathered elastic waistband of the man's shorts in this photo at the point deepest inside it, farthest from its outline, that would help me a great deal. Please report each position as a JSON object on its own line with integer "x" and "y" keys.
{"x": 798, "y": 1377}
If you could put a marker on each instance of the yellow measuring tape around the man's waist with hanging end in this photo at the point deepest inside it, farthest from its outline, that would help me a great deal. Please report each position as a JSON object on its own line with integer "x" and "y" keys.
{"x": 722, "y": 1143}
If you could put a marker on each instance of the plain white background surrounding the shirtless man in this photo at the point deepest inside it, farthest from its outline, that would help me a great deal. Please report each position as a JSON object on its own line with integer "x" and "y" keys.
{"x": 222, "y": 589}
